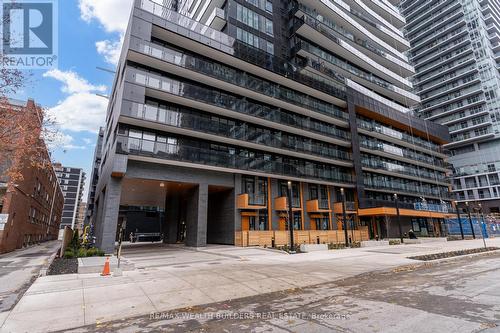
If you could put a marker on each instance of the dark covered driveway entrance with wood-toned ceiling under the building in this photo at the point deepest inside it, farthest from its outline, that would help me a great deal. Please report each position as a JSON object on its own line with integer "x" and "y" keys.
{"x": 176, "y": 212}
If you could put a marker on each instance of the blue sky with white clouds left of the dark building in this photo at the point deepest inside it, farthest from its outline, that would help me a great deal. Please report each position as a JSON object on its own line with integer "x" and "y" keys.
{"x": 89, "y": 36}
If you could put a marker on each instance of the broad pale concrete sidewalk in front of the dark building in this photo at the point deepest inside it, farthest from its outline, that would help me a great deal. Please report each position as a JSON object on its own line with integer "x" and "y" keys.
{"x": 170, "y": 278}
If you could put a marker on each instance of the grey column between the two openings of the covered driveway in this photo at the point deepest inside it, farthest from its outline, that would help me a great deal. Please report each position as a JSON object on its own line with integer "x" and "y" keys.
{"x": 196, "y": 216}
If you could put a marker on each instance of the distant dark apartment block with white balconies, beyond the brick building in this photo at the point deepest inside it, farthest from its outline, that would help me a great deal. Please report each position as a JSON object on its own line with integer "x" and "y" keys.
{"x": 72, "y": 182}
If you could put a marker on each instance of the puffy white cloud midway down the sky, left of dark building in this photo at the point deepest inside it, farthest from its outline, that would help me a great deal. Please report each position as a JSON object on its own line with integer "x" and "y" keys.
{"x": 79, "y": 112}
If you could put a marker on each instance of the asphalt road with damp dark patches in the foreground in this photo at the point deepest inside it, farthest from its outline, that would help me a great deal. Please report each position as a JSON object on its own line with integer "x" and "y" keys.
{"x": 456, "y": 296}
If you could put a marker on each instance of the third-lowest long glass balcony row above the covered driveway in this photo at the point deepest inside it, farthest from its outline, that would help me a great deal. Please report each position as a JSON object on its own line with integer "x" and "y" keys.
{"x": 241, "y": 105}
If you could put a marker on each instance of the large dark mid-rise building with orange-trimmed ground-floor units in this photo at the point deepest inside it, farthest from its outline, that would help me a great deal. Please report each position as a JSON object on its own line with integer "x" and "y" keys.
{"x": 218, "y": 105}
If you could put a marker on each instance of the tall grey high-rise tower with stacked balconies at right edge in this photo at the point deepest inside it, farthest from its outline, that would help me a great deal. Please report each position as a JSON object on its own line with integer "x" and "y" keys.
{"x": 456, "y": 54}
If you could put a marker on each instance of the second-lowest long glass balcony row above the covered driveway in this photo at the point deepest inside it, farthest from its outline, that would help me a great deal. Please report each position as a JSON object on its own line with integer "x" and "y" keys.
{"x": 192, "y": 120}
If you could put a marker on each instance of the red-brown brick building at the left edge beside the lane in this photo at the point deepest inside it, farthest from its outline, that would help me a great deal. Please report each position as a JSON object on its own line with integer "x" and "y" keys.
{"x": 31, "y": 207}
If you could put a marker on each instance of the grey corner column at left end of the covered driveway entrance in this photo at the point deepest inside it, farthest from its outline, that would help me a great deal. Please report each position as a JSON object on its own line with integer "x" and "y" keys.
{"x": 108, "y": 218}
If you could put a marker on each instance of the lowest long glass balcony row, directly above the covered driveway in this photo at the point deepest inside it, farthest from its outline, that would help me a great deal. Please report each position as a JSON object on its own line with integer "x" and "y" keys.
{"x": 230, "y": 158}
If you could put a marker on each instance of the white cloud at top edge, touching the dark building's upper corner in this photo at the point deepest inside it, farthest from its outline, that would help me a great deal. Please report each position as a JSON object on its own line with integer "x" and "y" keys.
{"x": 112, "y": 14}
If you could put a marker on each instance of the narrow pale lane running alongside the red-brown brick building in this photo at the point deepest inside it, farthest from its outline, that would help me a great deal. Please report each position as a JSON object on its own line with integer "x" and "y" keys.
{"x": 18, "y": 269}
